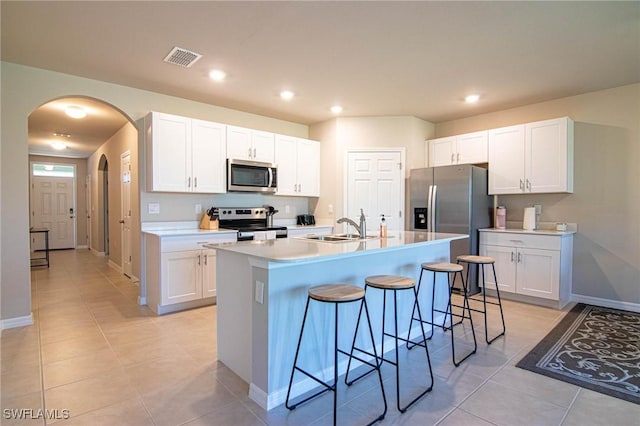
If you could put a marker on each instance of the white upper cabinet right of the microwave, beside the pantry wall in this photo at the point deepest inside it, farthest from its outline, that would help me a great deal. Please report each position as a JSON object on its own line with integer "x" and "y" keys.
{"x": 298, "y": 162}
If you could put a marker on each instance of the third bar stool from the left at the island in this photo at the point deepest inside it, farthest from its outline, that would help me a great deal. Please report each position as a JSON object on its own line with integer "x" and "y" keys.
{"x": 455, "y": 270}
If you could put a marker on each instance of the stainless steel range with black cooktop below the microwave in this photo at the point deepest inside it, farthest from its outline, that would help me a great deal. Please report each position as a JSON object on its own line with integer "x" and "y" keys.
{"x": 249, "y": 220}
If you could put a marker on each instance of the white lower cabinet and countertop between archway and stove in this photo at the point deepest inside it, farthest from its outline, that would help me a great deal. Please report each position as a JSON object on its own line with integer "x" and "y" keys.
{"x": 180, "y": 273}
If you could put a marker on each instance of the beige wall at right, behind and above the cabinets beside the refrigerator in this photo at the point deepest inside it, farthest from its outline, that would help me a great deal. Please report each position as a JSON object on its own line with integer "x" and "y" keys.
{"x": 606, "y": 200}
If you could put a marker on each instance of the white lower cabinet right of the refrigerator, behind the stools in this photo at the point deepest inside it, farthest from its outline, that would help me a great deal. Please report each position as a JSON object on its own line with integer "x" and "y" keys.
{"x": 530, "y": 264}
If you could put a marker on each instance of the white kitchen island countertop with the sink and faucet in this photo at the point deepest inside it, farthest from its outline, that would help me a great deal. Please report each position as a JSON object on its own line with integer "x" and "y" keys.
{"x": 298, "y": 249}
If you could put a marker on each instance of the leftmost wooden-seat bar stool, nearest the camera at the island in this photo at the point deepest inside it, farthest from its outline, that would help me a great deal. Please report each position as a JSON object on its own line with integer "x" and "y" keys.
{"x": 336, "y": 294}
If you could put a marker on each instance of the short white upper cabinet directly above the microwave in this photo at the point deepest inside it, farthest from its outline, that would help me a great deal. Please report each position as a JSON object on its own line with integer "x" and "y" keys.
{"x": 249, "y": 144}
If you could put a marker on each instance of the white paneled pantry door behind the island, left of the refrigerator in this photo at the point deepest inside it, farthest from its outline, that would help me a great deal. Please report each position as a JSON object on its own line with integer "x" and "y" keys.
{"x": 375, "y": 184}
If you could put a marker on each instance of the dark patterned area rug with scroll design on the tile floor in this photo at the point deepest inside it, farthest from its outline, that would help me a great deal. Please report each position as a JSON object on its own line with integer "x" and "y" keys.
{"x": 595, "y": 348}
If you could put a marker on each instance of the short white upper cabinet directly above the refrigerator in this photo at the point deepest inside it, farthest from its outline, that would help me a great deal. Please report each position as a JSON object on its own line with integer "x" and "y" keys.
{"x": 470, "y": 148}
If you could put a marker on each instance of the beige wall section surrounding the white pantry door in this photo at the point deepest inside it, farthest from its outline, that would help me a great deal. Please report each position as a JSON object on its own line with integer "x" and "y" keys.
{"x": 340, "y": 134}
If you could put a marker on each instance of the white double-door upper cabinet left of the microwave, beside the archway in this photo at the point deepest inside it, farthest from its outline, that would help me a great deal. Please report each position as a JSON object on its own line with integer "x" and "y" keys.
{"x": 184, "y": 155}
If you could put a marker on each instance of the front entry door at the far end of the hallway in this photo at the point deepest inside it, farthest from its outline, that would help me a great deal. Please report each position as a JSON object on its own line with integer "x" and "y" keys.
{"x": 53, "y": 207}
